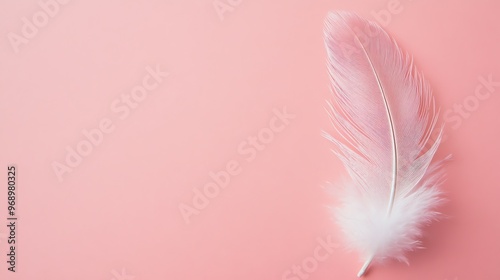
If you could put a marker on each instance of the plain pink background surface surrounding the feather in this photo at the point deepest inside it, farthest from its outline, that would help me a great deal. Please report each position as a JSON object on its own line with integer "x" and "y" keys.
{"x": 116, "y": 215}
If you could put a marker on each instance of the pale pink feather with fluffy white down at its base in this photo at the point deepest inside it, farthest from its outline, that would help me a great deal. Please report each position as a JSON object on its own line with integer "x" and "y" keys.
{"x": 385, "y": 116}
